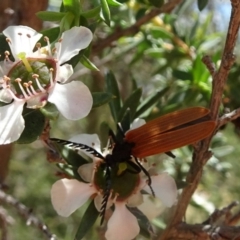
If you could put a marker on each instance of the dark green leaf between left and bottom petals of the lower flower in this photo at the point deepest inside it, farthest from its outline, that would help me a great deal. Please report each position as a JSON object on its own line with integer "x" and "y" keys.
{"x": 89, "y": 218}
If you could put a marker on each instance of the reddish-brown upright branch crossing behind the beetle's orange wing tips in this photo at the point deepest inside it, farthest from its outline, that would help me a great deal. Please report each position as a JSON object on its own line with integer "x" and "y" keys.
{"x": 201, "y": 153}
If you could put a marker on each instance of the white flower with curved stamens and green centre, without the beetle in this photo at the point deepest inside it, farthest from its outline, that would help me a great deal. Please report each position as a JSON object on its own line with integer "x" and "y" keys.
{"x": 37, "y": 77}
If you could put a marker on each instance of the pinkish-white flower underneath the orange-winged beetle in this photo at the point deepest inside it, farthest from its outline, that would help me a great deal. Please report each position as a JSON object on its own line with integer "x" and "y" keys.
{"x": 122, "y": 225}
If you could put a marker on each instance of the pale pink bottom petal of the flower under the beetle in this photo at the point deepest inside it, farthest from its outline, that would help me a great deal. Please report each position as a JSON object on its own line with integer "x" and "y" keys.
{"x": 122, "y": 225}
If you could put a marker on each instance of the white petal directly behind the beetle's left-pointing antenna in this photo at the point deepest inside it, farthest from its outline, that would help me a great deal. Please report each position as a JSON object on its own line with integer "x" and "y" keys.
{"x": 91, "y": 140}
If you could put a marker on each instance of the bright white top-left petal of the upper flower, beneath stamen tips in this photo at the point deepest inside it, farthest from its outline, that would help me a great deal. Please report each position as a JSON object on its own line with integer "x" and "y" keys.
{"x": 23, "y": 39}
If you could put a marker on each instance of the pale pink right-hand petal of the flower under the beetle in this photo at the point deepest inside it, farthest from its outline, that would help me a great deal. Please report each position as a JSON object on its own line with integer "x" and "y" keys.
{"x": 165, "y": 189}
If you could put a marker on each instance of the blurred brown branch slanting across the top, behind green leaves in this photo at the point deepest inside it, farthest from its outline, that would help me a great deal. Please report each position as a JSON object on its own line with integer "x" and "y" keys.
{"x": 130, "y": 31}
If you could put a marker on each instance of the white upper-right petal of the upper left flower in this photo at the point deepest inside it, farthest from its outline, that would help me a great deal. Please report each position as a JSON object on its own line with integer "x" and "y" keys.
{"x": 73, "y": 40}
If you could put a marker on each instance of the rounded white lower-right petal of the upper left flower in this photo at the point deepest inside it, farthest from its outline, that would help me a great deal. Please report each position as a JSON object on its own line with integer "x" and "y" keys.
{"x": 73, "y": 99}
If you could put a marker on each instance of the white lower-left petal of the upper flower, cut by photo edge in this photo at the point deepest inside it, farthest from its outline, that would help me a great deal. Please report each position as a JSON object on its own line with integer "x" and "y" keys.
{"x": 12, "y": 122}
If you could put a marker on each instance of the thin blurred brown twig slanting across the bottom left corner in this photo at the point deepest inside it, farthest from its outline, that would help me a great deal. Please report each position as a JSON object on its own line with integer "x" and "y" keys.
{"x": 27, "y": 214}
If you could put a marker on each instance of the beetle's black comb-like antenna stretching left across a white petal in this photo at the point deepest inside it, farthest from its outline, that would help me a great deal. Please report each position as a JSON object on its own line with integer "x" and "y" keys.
{"x": 78, "y": 146}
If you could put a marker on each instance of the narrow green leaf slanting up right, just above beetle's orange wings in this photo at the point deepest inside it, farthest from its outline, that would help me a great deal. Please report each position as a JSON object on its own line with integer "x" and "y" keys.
{"x": 150, "y": 101}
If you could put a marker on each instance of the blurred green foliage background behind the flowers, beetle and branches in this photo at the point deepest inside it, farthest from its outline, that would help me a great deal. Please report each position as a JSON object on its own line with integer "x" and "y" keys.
{"x": 153, "y": 72}
